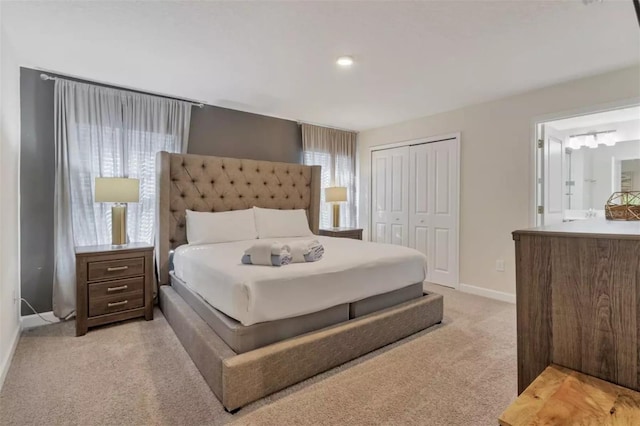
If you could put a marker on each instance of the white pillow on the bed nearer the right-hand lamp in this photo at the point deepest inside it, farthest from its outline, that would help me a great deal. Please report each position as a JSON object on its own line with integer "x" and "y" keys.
{"x": 272, "y": 223}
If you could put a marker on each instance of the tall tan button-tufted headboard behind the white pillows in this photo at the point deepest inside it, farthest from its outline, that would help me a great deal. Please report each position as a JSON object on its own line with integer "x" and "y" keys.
{"x": 216, "y": 184}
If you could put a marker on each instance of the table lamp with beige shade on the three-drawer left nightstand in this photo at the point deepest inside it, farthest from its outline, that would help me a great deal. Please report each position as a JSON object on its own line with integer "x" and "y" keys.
{"x": 118, "y": 191}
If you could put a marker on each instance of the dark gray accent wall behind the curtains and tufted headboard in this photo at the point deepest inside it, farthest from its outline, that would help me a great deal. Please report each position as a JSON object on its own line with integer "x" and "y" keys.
{"x": 214, "y": 131}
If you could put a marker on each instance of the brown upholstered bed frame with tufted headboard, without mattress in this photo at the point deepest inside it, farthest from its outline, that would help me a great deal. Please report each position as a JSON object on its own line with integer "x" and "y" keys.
{"x": 215, "y": 184}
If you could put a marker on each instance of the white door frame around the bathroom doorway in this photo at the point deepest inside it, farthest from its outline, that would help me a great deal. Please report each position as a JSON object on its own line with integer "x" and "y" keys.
{"x": 535, "y": 159}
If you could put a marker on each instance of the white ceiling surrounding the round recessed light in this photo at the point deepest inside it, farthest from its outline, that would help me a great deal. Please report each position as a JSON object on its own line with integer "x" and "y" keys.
{"x": 412, "y": 58}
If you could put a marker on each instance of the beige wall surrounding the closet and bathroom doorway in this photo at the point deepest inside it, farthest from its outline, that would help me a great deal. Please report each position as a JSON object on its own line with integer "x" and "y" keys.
{"x": 497, "y": 165}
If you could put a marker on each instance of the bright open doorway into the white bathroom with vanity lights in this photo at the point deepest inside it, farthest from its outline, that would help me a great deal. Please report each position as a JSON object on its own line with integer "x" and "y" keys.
{"x": 582, "y": 160}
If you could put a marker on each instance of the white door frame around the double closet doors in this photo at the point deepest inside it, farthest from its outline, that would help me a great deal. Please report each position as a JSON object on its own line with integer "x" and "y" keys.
{"x": 431, "y": 139}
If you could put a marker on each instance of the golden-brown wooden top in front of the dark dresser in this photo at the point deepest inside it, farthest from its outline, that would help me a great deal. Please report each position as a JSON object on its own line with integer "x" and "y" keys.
{"x": 560, "y": 396}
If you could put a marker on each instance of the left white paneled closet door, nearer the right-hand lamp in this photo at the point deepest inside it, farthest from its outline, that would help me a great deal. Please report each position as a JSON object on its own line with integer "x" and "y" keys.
{"x": 389, "y": 196}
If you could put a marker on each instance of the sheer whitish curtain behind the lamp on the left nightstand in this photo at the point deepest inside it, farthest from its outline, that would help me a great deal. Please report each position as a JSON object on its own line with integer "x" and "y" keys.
{"x": 102, "y": 132}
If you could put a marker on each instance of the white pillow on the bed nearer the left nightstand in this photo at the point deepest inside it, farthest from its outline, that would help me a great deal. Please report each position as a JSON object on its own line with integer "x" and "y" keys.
{"x": 222, "y": 227}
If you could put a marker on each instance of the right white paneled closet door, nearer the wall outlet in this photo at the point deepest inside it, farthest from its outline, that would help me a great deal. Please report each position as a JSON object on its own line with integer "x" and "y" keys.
{"x": 433, "y": 208}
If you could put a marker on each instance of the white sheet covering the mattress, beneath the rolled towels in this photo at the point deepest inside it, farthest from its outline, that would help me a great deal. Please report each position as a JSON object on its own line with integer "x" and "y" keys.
{"x": 350, "y": 270}
